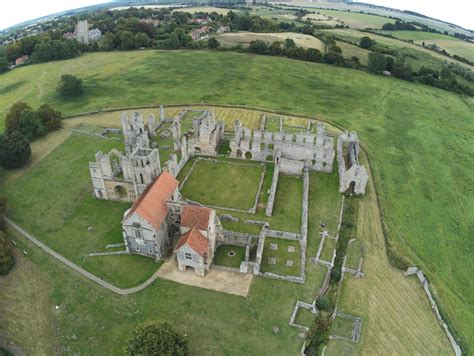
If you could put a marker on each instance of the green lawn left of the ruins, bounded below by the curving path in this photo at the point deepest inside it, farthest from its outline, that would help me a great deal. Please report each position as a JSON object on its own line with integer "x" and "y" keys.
{"x": 53, "y": 201}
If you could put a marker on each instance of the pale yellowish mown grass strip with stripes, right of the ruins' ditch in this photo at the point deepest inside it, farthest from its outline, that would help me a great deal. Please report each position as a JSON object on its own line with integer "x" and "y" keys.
{"x": 385, "y": 291}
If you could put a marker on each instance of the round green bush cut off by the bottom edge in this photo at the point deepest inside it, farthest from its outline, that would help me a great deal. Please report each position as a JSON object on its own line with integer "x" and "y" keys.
{"x": 157, "y": 339}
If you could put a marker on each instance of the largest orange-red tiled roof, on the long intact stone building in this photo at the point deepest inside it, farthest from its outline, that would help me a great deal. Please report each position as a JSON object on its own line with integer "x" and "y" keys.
{"x": 151, "y": 205}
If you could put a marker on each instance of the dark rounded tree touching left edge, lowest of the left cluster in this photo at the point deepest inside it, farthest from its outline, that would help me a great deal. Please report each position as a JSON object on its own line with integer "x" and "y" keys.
{"x": 15, "y": 150}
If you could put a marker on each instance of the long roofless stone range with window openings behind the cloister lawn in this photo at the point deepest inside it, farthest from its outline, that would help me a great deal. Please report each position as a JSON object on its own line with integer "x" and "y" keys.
{"x": 300, "y": 150}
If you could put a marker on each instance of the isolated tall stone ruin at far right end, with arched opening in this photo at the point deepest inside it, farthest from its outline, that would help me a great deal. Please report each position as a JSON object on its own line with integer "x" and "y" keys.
{"x": 350, "y": 172}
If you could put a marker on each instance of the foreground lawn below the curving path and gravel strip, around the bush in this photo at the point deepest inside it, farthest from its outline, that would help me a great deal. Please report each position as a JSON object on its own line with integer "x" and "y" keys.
{"x": 112, "y": 316}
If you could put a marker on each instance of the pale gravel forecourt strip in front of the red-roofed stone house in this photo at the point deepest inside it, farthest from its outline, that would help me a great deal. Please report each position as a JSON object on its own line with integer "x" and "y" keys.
{"x": 218, "y": 280}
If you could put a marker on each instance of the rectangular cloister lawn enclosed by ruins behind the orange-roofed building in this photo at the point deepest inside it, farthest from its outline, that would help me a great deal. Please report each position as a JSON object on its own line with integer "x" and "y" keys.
{"x": 234, "y": 185}
